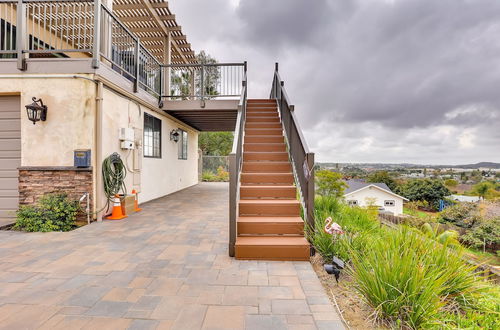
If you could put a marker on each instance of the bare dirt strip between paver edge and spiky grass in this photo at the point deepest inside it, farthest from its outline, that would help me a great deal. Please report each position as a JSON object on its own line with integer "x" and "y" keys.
{"x": 357, "y": 314}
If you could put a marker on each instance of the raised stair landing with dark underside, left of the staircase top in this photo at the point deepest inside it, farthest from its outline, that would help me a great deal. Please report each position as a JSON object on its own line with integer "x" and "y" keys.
{"x": 215, "y": 116}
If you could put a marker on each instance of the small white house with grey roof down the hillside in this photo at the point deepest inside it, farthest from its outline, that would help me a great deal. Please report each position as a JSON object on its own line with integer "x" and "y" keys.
{"x": 359, "y": 193}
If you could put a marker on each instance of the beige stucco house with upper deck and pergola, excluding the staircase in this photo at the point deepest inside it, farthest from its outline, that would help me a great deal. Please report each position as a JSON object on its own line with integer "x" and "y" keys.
{"x": 97, "y": 77}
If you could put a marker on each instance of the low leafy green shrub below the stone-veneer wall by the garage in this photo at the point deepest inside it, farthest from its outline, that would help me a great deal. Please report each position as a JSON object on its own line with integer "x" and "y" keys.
{"x": 54, "y": 212}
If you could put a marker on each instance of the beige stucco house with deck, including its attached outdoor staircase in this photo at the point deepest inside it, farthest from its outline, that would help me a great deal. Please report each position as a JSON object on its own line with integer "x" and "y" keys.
{"x": 83, "y": 81}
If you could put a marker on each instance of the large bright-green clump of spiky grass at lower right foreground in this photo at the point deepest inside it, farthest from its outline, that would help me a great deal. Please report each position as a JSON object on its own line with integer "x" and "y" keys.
{"x": 409, "y": 278}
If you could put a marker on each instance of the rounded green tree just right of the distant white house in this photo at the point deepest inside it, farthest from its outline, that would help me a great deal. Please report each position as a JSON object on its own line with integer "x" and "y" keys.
{"x": 424, "y": 190}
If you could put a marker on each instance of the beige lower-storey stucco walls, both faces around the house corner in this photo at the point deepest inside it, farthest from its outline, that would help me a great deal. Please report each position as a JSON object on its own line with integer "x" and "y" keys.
{"x": 70, "y": 125}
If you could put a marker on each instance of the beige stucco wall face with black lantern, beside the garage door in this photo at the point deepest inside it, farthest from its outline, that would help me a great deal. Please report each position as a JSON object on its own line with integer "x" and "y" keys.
{"x": 70, "y": 118}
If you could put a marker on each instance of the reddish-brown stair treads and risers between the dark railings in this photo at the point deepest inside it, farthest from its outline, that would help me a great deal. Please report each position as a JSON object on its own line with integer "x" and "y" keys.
{"x": 269, "y": 223}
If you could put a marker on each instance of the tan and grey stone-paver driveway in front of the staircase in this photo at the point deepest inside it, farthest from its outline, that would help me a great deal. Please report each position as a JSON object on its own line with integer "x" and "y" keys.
{"x": 164, "y": 268}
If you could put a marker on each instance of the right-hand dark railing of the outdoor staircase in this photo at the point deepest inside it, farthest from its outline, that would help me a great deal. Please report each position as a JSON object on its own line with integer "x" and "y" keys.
{"x": 302, "y": 159}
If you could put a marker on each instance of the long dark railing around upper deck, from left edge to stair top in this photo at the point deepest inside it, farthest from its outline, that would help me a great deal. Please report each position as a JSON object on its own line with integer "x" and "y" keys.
{"x": 58, "y": 27}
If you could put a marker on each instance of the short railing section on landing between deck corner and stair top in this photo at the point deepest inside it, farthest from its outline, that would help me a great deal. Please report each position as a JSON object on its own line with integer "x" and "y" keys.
{"x": 203, "y": 81}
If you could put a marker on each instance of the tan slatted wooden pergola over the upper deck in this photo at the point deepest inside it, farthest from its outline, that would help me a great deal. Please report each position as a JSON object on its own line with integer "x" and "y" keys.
{"x": 155, "y": 25}
